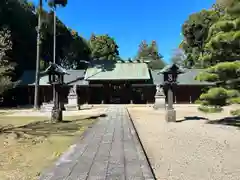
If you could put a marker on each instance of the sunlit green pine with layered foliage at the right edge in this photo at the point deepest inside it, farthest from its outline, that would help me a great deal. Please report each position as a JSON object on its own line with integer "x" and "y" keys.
{"x": 220, "y": 55}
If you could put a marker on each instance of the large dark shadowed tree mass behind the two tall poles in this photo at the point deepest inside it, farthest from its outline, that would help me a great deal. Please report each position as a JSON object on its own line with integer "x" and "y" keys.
{"x": 21, "y": 18}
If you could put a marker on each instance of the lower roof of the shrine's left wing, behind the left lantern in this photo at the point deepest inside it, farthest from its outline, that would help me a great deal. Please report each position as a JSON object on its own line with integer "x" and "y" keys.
{"x": 73, "y": 77}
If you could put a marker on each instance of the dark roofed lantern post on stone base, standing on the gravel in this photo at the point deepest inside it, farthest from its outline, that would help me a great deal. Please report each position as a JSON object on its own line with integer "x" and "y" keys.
{"x": 170, "y": 75}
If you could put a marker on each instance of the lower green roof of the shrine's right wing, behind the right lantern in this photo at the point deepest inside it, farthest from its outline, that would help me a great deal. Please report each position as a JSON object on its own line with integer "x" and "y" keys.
{"x": 187, "y": 78}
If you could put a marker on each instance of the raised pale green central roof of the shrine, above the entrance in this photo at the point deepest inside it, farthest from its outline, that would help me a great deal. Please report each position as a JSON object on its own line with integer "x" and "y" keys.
{"x": 118, "y": 71}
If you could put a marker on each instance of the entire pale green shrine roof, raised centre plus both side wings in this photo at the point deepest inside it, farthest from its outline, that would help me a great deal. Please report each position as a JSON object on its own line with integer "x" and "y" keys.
{"x": 116, "y": 71}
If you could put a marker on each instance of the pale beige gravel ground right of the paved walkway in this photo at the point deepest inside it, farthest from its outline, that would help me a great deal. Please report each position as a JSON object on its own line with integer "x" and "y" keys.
{"x": 188, "y": 150}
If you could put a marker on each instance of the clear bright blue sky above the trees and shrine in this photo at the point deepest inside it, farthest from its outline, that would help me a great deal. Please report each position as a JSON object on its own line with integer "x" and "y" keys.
{"x": 131, "y": 21}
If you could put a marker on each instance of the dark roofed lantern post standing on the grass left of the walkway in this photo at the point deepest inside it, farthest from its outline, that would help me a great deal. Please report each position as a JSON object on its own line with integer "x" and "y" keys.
{"x": 56, "y": 79}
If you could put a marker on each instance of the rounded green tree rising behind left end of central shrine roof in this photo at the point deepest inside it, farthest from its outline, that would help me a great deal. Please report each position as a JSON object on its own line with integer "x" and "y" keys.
{"x": 103, "y": 47}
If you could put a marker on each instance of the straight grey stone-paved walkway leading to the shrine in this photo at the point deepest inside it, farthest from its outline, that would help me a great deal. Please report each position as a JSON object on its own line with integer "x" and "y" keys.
{"x": 109, "y": 151}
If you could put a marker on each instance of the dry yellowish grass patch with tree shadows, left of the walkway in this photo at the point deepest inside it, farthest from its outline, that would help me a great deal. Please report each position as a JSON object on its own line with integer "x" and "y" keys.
{"x": 30, "y": 144}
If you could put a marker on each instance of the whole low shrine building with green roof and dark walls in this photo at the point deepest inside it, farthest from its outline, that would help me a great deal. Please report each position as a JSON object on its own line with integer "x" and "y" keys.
{"x": 109, "y": 82}
